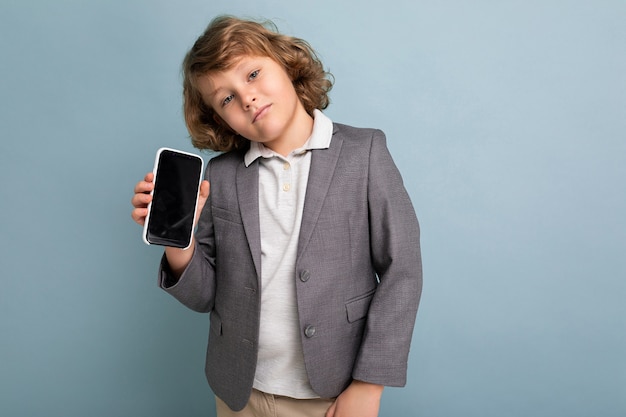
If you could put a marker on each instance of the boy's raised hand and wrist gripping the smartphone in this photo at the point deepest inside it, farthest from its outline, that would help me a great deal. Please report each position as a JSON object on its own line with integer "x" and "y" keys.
{"x": 178, "y": 259}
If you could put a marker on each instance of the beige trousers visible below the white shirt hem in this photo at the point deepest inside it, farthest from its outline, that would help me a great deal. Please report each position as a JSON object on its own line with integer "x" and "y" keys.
{"x": 268, "y": 405}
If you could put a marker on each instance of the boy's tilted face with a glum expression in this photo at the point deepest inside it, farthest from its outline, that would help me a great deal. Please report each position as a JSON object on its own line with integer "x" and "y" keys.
{"x": 256, "y": 98}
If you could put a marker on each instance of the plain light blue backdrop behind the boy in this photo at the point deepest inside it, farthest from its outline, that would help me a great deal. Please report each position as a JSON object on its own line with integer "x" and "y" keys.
{"x": 507, "y": 120}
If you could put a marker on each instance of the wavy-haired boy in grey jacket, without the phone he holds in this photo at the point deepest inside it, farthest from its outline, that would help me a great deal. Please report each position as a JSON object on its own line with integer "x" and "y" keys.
{"x": 307, "y": 248}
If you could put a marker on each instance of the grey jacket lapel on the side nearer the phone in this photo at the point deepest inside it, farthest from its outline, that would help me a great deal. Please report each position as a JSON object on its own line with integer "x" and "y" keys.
{"x": 248, "y": 195}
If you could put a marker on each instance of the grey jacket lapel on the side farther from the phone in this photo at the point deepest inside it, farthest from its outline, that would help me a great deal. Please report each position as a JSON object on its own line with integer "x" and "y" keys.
{"x": 323, "y": 163}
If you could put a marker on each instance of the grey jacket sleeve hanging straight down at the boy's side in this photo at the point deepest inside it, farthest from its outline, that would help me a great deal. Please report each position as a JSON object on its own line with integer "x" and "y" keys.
{"x": 395, "y": 256}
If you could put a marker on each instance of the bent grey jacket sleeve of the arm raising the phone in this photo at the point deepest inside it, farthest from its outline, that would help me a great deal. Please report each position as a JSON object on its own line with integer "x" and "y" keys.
{"x": 196, "y": 286}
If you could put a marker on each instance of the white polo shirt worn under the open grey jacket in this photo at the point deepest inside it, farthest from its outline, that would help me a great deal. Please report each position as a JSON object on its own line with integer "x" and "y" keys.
{"x": 282, "y": 188}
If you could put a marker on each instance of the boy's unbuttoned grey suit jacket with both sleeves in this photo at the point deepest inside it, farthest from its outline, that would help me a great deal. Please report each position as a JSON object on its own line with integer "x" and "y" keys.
{"x": 358, "y": 269}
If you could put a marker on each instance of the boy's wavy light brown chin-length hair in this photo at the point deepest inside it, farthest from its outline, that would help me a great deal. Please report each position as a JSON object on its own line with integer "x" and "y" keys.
{"x": 224, "y": 41}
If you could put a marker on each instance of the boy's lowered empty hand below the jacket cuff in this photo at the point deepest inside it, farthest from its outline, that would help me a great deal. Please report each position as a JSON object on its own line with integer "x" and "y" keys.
{"x": 360, "y": 399}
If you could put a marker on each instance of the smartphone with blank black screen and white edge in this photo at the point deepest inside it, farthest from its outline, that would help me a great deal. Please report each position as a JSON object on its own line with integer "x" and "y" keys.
{"x": 172, "y": 212}
